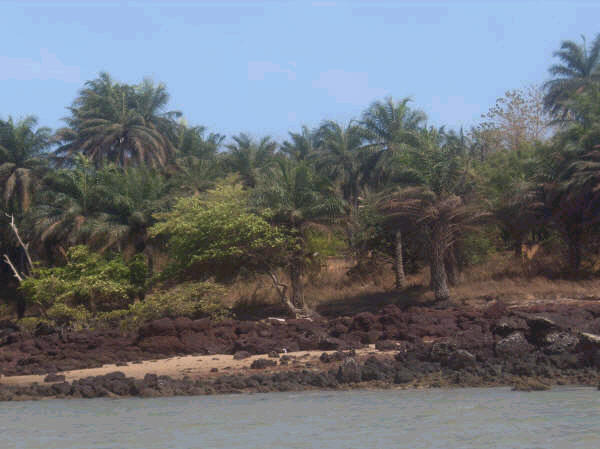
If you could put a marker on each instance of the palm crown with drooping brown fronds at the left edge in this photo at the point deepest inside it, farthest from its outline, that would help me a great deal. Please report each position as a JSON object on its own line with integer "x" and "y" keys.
{"x": 21, "y": 160}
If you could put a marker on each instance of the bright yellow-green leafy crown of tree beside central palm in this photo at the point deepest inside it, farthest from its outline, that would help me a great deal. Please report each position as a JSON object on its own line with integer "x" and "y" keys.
{"x": 216, "y": 234}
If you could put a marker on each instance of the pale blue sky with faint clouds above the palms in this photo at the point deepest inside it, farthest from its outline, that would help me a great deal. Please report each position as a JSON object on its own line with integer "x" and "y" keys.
{"x": 269, "y": 67}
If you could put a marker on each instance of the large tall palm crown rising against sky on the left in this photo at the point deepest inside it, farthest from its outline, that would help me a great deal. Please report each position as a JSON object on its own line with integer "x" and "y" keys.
{"x": 120, "y": 123}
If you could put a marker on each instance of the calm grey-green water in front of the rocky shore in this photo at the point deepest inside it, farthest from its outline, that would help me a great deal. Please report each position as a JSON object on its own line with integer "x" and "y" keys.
{"x": 565, "y": 418}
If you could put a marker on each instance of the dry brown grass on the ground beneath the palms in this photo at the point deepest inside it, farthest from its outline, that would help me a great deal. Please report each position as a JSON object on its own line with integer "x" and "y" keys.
{"x": 503, "y": 276}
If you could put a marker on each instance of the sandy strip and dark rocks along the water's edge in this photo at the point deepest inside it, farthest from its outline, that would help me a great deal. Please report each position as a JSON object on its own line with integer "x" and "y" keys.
{"x": 366, "y": 369}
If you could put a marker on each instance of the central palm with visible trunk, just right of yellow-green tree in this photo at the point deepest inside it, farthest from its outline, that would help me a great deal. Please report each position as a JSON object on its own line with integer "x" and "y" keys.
{"x": 297, "y": 199}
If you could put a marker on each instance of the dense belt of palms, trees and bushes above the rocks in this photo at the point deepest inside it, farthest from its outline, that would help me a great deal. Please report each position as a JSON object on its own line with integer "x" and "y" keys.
{"x": 129, "y": 213}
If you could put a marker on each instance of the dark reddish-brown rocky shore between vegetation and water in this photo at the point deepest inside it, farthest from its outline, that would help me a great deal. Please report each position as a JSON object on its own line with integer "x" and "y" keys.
{"x": 529, "y": 347}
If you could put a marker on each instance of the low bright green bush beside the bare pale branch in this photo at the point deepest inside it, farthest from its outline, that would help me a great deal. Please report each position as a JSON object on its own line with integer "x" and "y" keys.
{"x": 88, "y": 282}
